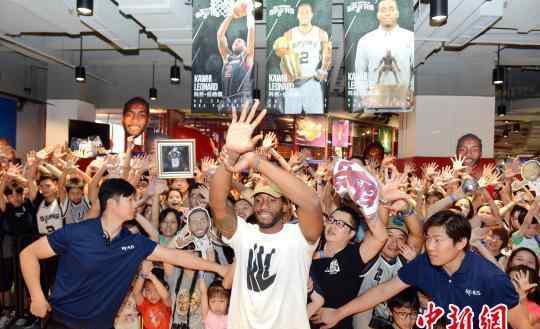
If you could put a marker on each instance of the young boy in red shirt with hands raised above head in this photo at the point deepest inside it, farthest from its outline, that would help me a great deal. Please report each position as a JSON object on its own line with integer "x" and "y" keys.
{"x": 152, "y": 298}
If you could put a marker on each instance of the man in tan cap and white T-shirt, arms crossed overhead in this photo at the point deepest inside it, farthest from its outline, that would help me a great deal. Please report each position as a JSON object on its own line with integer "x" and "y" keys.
{"x": 272, "y": 259}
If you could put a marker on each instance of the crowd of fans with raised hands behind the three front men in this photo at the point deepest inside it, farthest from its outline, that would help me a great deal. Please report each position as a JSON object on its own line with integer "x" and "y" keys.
{"x": 46, "y": 190}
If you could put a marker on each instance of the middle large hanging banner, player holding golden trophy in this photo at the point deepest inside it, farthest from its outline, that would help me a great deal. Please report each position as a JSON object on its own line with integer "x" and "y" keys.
{"x": 299, "y": 55}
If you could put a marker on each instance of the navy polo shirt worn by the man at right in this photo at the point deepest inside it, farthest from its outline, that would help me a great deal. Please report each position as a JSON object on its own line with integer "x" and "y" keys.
{"x": 477, "y": 282}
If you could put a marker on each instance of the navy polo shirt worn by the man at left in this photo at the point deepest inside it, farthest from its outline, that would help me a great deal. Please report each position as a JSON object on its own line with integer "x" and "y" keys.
{"x": 93, "y": 275}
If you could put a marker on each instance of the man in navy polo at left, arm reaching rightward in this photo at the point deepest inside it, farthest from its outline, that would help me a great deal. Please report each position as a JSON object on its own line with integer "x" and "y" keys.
{"x": 98, "y": 259}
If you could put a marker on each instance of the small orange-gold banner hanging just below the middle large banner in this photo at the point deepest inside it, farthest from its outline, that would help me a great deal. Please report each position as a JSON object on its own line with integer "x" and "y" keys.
{"x": 312, "y": 131}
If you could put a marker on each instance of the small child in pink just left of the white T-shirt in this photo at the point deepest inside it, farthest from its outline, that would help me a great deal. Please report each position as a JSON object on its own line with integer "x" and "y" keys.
{"x": 214, "y": 304}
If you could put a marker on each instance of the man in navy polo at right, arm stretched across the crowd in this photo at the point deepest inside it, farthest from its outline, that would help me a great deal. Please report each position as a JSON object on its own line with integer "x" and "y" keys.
{"x": 448, "y": 272}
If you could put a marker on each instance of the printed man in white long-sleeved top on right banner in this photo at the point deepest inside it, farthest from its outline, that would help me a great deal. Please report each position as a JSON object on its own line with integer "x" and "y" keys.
{"x": 384, "y": 61}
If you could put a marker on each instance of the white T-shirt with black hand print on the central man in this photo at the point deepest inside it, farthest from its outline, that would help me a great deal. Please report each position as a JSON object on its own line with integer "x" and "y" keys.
{"x": 270, "y": 280}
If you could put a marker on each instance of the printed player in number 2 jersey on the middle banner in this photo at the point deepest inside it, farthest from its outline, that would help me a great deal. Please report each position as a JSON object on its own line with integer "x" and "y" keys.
{"x": 306, "y": 56}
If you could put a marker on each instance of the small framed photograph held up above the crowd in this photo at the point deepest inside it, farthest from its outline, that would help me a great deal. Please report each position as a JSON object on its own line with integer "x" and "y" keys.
{"x": 176, "y": 158}
